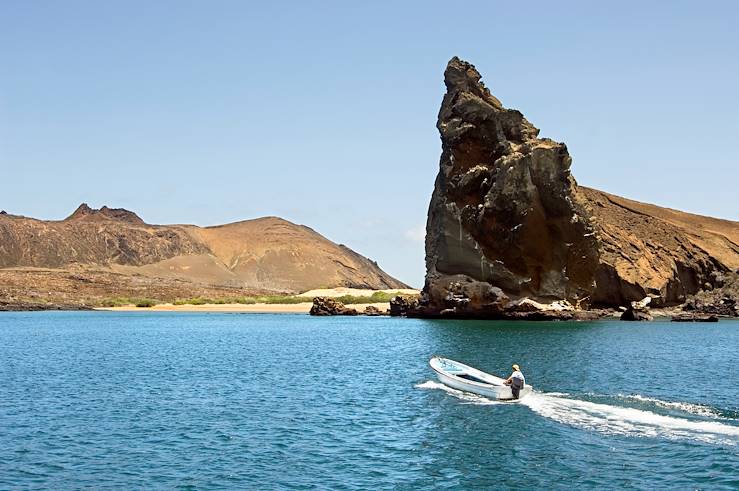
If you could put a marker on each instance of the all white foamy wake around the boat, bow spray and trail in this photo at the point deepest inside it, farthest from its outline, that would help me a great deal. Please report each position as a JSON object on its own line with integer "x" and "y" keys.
{"x": 619, "y": 420}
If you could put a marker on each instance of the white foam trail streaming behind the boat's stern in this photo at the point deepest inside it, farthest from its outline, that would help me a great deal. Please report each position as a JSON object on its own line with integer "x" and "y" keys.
{"x": 628, "y": 421}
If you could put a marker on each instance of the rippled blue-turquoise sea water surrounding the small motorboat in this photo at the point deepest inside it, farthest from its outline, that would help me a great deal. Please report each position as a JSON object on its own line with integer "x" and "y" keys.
{"x": 224, "y": 401}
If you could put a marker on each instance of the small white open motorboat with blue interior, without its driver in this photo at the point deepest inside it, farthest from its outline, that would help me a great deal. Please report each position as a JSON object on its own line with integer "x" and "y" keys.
{"x": 462, "y": 377}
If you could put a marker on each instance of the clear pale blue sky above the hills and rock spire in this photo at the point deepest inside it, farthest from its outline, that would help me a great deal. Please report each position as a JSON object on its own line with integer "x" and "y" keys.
{"x": 324, "y": 113}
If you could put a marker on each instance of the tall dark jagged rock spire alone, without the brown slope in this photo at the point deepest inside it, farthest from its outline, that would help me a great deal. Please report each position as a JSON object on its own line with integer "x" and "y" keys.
{"x": 504, "y": 219}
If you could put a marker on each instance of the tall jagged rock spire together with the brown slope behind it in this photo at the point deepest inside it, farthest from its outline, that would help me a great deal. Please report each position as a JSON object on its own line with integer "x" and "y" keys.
{"x": 507, "y": 222}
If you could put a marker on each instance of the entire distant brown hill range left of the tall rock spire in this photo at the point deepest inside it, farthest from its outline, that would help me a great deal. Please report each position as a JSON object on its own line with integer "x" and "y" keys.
{"x": 266, "y": 254}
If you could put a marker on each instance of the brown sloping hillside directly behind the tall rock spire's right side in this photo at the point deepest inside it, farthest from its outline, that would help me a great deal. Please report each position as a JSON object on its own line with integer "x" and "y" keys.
{"x": 650, "y": 250}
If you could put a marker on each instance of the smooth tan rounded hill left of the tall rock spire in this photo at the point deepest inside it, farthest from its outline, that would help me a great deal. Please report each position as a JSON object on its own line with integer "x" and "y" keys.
{"x": 271, "y": 254}
